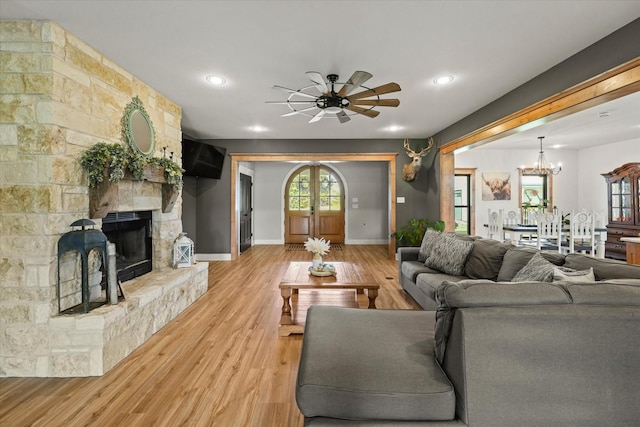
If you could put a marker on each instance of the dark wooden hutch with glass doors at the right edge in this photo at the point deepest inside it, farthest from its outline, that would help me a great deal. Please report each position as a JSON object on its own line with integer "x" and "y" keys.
{"x": 624, "y": 208}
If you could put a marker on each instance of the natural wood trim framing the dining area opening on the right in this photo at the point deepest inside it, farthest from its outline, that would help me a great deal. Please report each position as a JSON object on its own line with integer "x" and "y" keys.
{"x": 613, "y": 84}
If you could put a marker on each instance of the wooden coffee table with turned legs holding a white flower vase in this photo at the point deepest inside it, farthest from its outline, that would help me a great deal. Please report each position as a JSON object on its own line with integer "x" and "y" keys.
{"x": 348, "y": 276}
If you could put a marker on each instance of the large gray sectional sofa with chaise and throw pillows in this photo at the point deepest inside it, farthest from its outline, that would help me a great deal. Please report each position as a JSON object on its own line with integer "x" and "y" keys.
{"x": 495, "y": 353}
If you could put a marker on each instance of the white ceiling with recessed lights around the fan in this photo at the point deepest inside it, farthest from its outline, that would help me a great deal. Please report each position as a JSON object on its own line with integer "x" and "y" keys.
{"x": 491, "y": 47}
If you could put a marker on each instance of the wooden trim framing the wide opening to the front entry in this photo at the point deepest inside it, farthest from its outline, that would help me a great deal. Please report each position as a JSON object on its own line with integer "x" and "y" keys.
{"x": 236, "y": 158}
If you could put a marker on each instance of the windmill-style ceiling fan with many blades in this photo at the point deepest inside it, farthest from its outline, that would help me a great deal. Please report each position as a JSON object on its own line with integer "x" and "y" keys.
{"x": 321, "y": 99}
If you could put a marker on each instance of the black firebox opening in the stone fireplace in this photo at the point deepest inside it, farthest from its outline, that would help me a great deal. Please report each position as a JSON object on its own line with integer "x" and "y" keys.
{"x": 131, "y": 234}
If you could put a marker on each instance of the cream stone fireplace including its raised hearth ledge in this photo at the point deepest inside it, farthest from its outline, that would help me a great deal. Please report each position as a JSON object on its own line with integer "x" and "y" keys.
{"x": 60, "y": 96}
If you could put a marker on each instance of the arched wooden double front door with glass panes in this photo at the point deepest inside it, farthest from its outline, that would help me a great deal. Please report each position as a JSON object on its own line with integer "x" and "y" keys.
{"x": 314, "y": 205}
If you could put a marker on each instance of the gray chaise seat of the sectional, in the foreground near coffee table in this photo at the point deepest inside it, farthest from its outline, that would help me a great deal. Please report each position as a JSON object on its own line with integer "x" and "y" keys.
{"x": 380, "y": 367}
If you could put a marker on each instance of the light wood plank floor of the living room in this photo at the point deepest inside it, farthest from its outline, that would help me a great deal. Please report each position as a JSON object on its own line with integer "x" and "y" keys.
{"x": 220, "y": 363}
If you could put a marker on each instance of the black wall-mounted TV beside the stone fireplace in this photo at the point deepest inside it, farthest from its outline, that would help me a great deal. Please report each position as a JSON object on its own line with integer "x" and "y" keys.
{"x": 202, "y": 160}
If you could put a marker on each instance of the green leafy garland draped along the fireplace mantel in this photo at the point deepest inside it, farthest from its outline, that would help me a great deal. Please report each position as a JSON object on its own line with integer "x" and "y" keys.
{"x": 116, "y": 159}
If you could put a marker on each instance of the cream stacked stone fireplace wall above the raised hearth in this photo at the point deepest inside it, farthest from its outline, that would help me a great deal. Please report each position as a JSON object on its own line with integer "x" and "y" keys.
{"x": 59, "y": 96}
